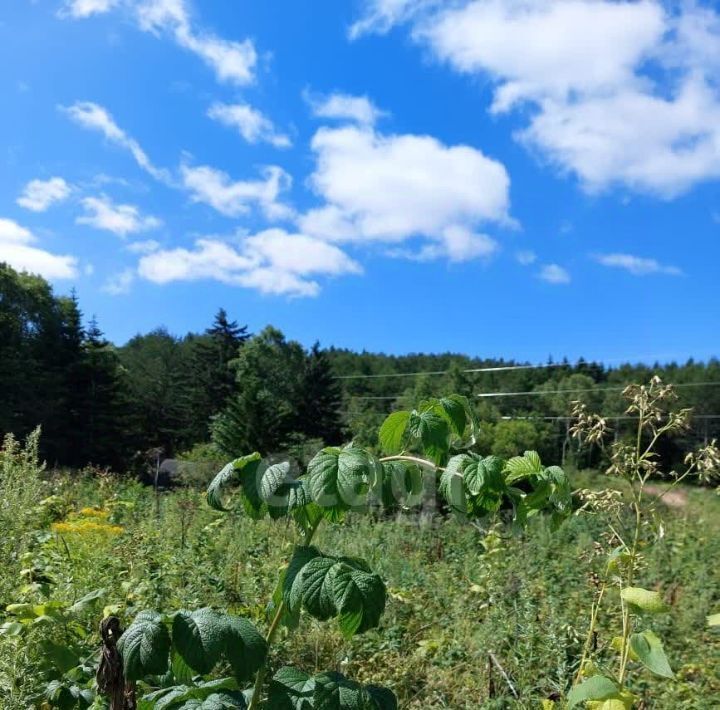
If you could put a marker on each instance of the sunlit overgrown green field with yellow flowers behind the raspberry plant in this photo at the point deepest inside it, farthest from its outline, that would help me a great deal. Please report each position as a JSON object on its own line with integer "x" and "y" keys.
{"x": 456, "y": 593}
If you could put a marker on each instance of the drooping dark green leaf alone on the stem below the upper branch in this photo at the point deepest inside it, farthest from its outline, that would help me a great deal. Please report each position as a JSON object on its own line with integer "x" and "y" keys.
{"x": 328, "y": 587}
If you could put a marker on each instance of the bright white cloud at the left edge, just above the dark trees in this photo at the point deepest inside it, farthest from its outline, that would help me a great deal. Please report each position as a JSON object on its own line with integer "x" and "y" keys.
{"x": 16, "y": 249}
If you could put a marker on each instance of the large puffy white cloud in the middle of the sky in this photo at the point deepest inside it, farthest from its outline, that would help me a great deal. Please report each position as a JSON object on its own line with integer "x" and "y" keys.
{"x": 399, "y": 187}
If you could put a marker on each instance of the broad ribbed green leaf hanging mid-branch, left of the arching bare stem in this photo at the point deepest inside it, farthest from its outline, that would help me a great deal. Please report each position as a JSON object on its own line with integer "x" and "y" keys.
{"x": 339, "y": 479}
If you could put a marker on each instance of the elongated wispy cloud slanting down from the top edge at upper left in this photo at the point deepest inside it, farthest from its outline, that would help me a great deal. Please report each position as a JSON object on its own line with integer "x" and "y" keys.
{"x": 231, "y": 61}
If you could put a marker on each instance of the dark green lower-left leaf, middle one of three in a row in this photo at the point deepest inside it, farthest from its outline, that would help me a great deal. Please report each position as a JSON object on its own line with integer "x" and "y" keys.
{"x": 199, "y": 637}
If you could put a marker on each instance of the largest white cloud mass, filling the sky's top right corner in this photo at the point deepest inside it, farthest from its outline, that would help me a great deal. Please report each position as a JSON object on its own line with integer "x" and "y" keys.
{"x": 620, "y": 93}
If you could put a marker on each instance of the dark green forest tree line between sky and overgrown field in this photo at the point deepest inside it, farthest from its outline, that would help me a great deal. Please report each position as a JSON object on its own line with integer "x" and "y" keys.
{"x": 233, "y": 392}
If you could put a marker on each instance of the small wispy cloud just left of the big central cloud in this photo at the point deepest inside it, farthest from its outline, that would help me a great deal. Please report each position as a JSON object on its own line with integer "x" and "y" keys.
{"x": 234, "y": 198}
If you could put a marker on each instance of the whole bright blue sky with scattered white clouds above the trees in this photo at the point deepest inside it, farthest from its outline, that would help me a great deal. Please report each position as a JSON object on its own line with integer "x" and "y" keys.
{"x": 518, "y": 179}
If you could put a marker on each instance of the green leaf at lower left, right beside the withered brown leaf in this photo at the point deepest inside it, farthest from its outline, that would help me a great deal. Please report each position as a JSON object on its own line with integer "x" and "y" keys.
{"x": 145, "y": 646}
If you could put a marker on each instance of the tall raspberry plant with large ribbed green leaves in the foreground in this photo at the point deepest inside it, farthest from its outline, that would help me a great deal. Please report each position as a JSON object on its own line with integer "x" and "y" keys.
{"x": 177, "y": 651}
